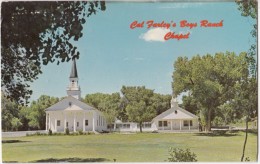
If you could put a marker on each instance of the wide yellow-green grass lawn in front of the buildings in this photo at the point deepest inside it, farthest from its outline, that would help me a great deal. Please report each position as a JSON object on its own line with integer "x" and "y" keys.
{"x": 146, "y": 147}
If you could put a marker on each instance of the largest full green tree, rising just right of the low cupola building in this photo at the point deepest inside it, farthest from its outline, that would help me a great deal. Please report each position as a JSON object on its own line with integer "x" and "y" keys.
{"x": 209, "y": 79}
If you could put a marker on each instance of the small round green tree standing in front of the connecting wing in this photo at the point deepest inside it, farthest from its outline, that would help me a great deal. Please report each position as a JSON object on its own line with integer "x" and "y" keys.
{"x": 139, "y": 107}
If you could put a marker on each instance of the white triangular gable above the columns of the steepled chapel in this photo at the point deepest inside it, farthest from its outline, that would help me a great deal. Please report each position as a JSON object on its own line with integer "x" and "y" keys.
{"x": 70, "y": 103}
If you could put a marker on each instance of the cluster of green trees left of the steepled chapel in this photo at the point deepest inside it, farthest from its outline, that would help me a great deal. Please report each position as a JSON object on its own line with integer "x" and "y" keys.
{"x": 17, "y": 117}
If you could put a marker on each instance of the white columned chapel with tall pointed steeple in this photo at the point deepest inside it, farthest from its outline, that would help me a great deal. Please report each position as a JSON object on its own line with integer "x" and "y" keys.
{"x": 72, "y": 113}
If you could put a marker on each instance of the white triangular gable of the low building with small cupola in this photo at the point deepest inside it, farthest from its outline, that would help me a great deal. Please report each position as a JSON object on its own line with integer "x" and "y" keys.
{"x": 170, "y": 114}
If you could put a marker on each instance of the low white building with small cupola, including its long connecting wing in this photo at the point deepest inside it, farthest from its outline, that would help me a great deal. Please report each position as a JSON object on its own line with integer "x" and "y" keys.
{"x": 174, "y": 119}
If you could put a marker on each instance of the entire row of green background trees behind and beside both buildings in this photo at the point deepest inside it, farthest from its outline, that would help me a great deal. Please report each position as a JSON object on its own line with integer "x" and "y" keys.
{"x": 220, "y": 90}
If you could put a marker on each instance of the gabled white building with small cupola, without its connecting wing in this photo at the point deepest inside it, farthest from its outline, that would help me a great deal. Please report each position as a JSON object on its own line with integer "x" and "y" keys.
{"x": 176, "y": 119}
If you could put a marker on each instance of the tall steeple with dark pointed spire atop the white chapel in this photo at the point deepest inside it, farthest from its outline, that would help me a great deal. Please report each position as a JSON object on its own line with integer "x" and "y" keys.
{"x": 74, "y": 89}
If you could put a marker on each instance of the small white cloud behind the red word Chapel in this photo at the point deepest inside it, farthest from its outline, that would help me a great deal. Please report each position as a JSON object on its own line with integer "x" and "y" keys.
{"x": 155, "y": 34}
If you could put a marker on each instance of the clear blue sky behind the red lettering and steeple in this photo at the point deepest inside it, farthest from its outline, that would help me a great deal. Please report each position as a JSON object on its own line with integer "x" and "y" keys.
{"x": 112, "y": 54}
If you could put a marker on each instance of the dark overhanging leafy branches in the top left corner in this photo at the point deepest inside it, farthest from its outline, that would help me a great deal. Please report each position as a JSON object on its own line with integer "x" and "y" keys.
{"x": 36, "y": 33}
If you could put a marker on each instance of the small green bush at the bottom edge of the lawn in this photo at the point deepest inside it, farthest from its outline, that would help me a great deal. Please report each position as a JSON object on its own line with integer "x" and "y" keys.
{"x": 180, "y": 155}
